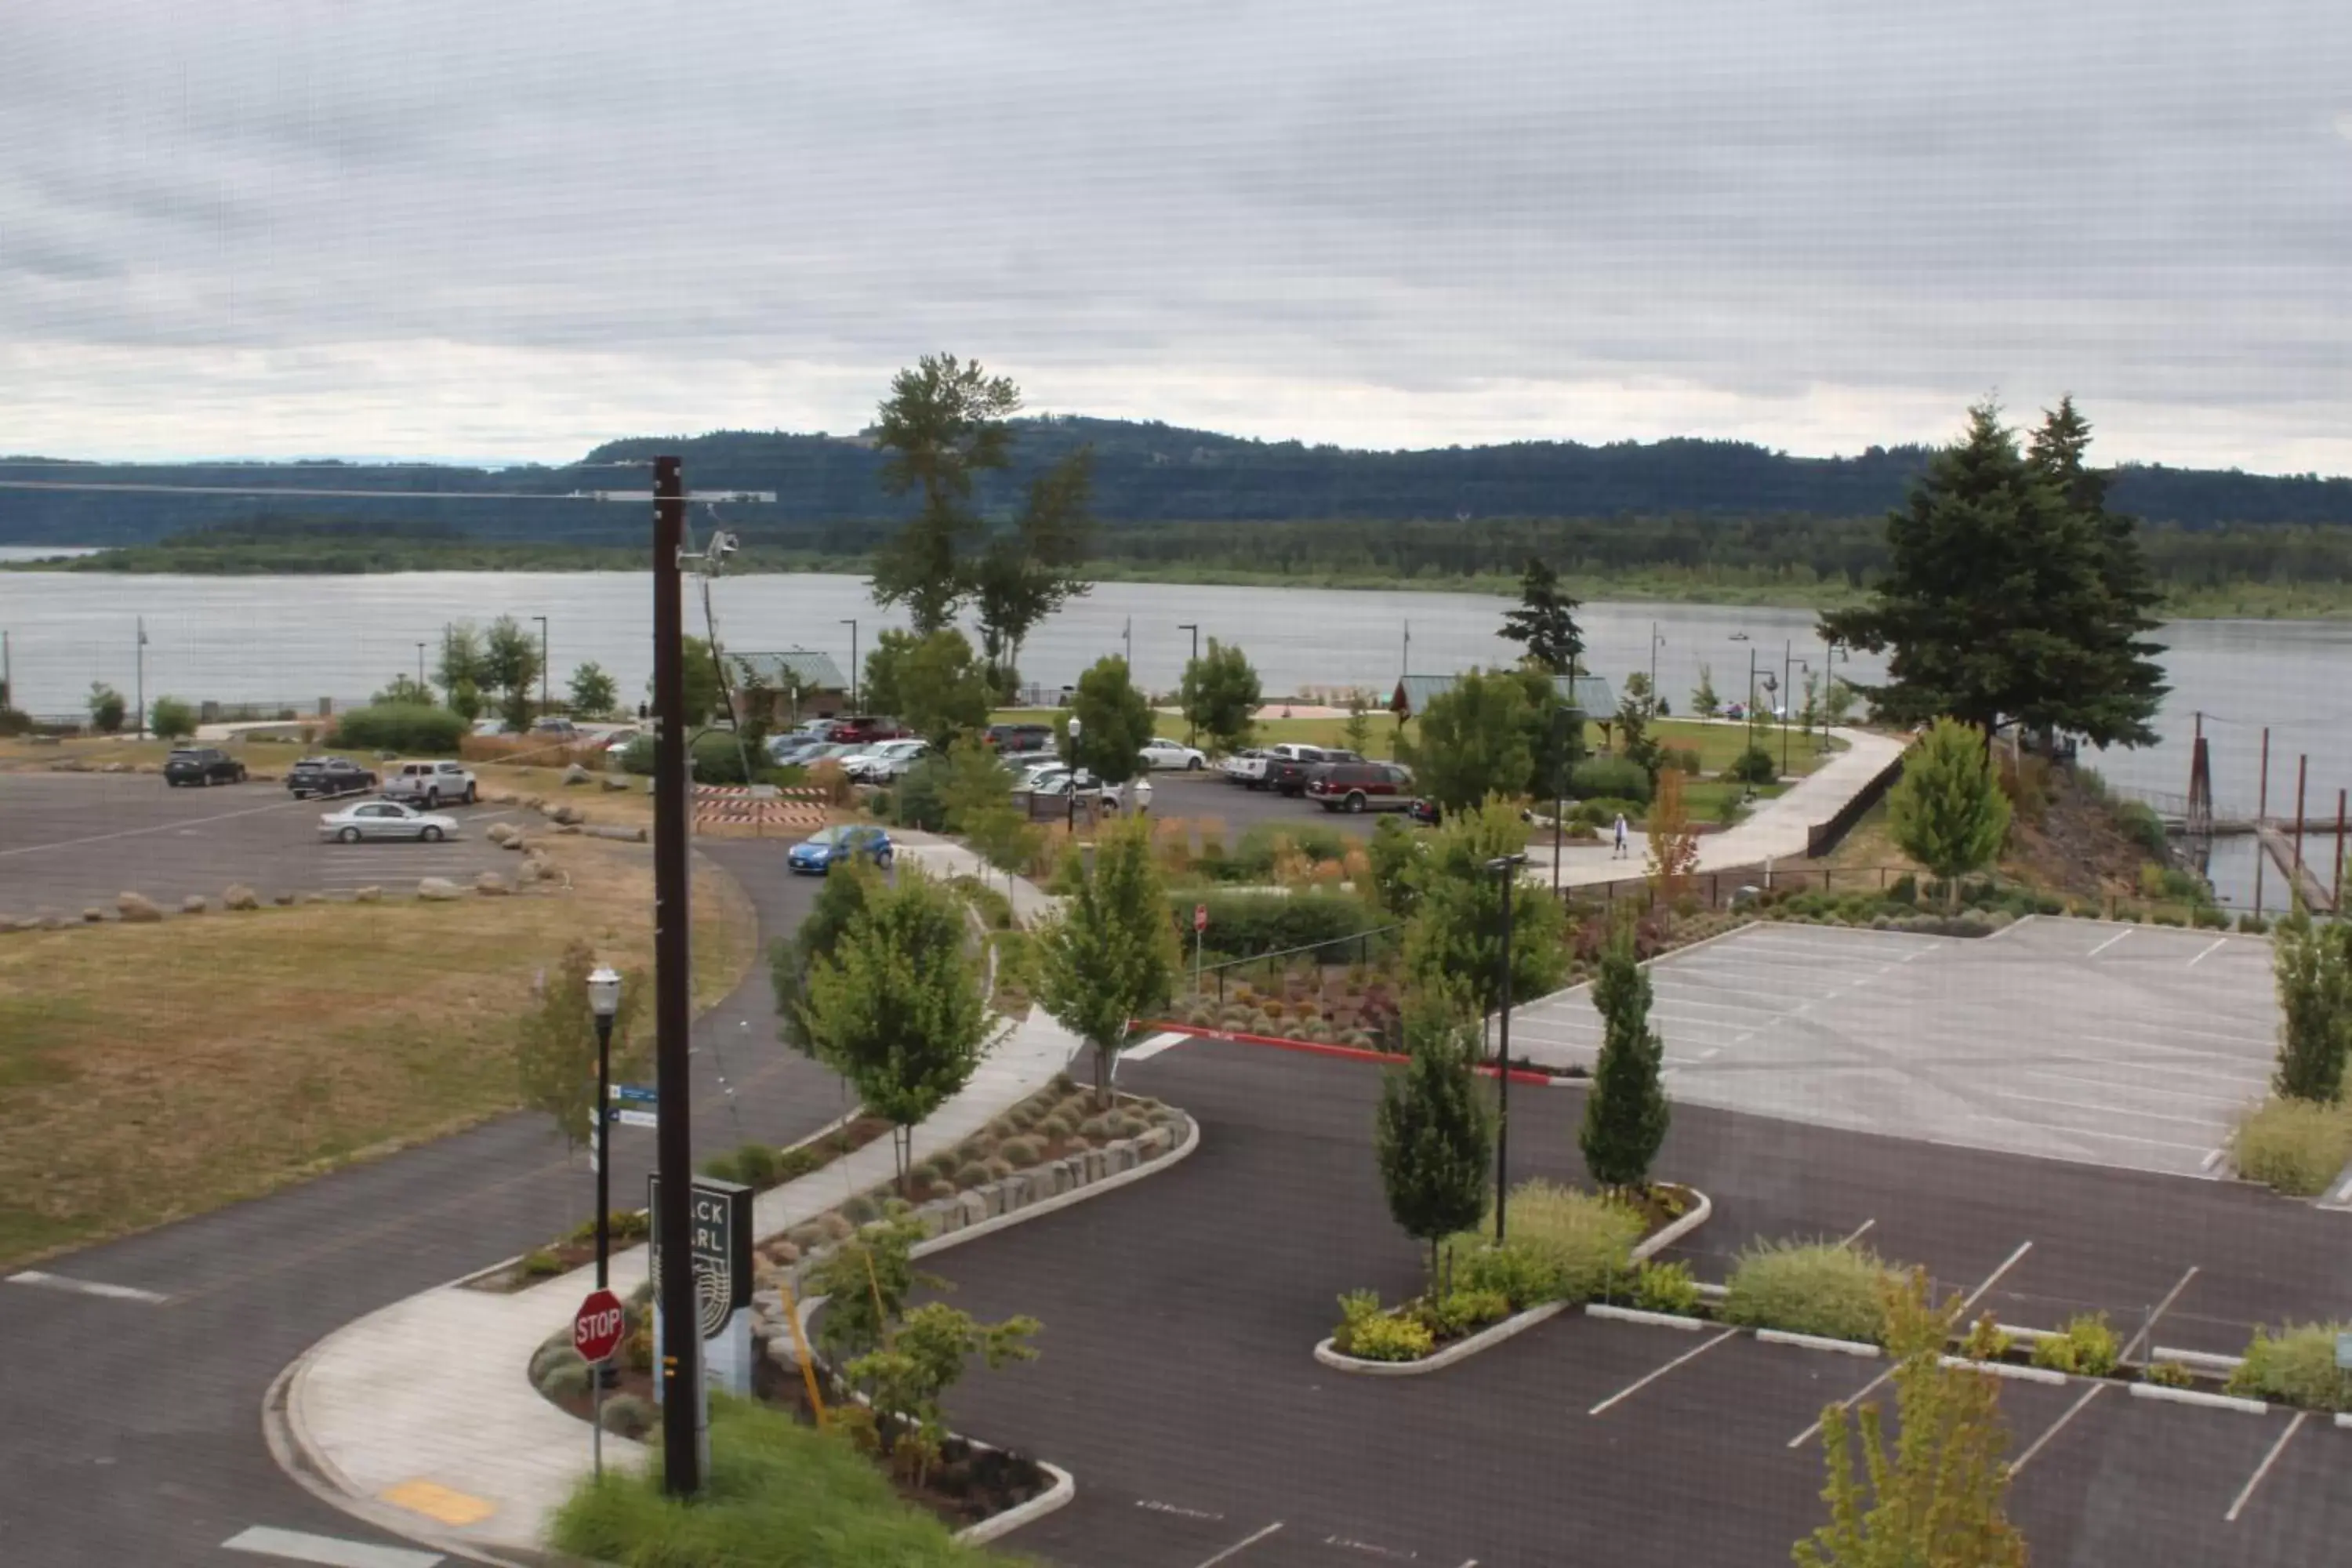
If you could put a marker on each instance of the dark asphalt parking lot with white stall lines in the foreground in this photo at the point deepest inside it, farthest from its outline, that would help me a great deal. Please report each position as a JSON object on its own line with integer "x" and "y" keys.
{"x": 1177, "y": 1381}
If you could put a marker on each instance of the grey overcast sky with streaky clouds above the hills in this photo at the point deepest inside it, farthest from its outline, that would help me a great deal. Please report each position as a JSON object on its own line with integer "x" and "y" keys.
{"x": 514, "y": 229}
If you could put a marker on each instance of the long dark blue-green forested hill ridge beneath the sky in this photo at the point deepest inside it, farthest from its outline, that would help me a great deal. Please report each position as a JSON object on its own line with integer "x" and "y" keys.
{"x": 1142, "y": 474}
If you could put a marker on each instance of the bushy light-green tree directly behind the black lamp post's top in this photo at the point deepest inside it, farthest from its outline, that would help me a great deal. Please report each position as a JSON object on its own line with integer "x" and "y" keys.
{"x": 1457, "y": 930}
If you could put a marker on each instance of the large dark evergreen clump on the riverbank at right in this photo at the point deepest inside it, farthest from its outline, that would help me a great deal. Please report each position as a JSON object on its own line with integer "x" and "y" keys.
{"x": 2003, "y": 601}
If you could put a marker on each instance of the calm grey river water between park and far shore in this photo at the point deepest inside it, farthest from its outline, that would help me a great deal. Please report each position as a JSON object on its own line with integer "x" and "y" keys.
{"x": 295, "y": 641}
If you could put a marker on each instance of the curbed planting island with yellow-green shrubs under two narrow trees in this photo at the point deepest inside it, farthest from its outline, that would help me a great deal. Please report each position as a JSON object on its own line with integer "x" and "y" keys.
{"x": 1561, "y": 1249}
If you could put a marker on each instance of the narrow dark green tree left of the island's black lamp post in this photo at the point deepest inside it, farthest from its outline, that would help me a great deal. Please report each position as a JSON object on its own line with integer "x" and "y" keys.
{"x": 1434, "y": 1132}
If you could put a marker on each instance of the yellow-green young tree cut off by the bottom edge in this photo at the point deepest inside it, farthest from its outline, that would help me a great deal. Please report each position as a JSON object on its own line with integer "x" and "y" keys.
{"x": 1942, "y": 1492}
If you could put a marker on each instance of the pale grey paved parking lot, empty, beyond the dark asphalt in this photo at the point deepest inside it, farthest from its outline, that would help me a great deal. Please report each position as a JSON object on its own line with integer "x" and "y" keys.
{"x": 2073, "y": 1040}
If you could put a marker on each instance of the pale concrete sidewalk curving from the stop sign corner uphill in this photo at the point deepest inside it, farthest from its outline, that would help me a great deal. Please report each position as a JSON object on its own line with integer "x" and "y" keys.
{"x": 422, "y": 1416}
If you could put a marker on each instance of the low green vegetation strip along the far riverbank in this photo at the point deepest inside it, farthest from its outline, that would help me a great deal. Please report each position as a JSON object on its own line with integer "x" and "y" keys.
{"x": 375, "y": 549}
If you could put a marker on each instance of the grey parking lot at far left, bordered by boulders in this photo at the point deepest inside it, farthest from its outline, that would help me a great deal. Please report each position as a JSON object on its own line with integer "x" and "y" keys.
{"x": 76, "y": 840}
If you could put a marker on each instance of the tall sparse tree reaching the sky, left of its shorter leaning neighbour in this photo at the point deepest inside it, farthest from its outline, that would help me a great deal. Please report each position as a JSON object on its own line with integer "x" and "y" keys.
{"x": 942, "y": 424}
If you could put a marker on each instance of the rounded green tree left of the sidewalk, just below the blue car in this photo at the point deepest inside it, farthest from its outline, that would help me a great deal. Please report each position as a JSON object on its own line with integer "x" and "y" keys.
{"x": 897, "y": 1007}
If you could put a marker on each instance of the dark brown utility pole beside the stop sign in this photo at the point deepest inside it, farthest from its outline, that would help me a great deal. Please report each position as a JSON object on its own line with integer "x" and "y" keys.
{"x": 674, "y": 1012}
